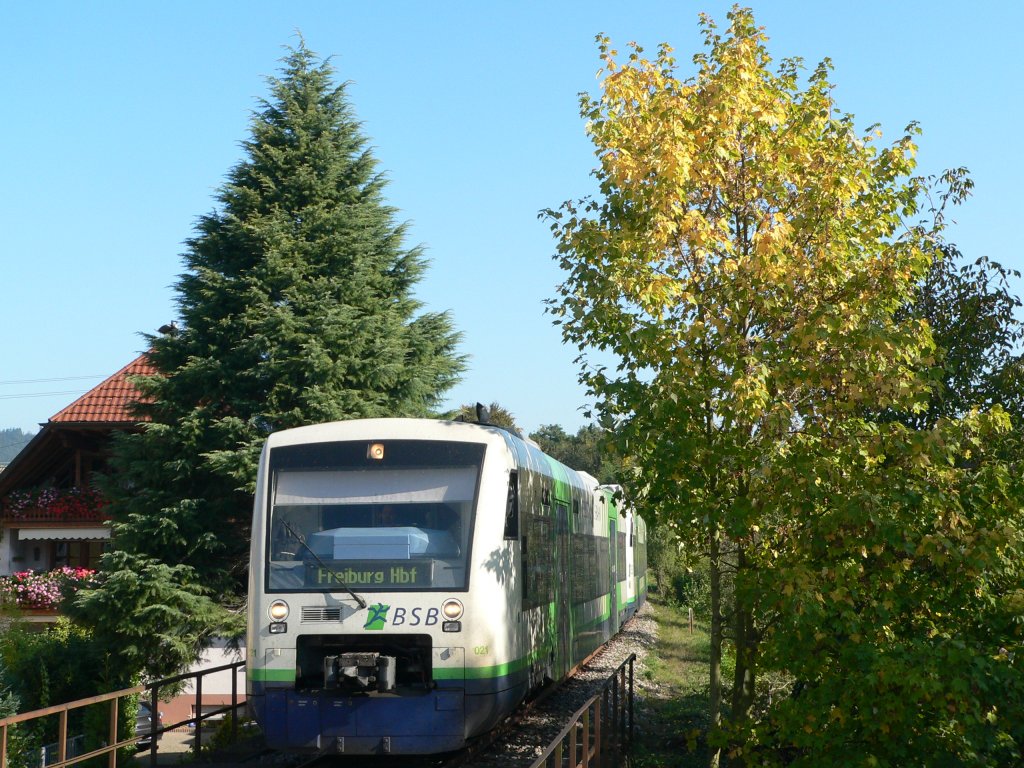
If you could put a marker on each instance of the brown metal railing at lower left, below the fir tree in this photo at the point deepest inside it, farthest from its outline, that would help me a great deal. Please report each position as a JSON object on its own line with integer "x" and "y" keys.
{"x": 113, "y": 743}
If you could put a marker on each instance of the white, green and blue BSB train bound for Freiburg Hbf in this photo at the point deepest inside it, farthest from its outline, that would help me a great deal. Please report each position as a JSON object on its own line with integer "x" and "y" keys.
{"x": 413, "y": 581}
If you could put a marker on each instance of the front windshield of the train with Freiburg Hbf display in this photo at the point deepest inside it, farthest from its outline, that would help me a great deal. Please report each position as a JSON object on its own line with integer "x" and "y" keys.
{"x": 371, "y": 516}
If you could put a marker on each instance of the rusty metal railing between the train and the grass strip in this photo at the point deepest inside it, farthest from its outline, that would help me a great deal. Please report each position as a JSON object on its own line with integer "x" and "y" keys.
{"x": 602, "y": 729}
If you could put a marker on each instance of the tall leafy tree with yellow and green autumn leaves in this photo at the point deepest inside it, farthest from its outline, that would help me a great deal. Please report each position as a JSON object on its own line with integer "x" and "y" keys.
{"x": 745, "y": 265}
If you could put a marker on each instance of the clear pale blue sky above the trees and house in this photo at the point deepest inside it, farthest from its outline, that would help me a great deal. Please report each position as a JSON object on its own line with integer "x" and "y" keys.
{"x": 121, "y": 119}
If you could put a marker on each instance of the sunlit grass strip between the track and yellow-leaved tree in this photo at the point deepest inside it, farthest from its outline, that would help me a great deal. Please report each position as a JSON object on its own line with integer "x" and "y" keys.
{"x": 672, "y": 704}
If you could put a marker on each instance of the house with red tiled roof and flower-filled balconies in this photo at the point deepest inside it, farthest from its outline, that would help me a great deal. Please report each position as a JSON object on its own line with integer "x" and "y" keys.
{"x": 52, "y": 516}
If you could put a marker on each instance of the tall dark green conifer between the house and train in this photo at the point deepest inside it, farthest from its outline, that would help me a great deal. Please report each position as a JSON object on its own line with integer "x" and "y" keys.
{"x": 297, "y": 309}
